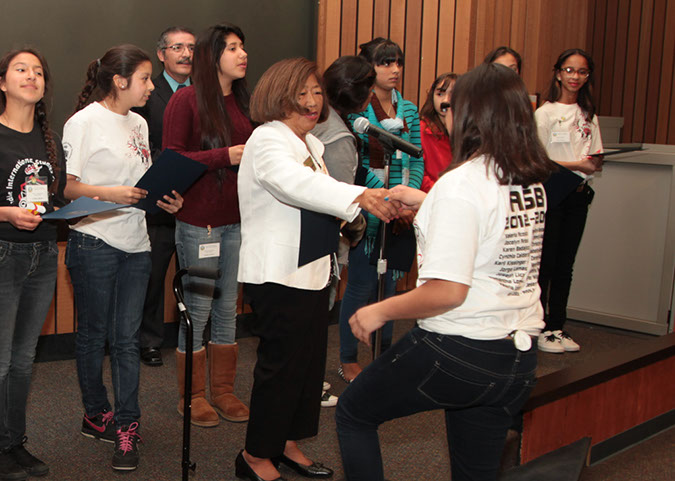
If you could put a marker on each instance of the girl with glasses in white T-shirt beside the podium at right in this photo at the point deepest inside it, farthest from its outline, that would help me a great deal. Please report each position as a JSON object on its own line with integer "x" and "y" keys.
{"x": 568, "y": 128}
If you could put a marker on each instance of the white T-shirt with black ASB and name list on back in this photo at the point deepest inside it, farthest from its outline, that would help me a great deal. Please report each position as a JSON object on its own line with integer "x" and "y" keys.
{"x": 474, "y": 231}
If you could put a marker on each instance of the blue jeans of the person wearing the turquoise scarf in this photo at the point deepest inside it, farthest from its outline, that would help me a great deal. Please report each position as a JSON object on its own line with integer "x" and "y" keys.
{"x": 361, "y": 290}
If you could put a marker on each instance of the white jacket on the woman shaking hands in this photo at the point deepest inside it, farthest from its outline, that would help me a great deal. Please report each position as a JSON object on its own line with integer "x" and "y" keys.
{"x": 274, "y": 182}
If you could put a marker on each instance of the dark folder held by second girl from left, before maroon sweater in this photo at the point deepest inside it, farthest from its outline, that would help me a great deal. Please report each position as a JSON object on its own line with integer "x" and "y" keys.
{"x": 171, "y": 171}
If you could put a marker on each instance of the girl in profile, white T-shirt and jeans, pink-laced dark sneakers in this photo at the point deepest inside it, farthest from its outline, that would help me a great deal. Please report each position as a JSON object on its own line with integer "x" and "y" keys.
{"x": 108, "y": 254}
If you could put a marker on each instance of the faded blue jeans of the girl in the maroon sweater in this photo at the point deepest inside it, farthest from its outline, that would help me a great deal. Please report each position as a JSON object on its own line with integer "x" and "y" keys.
{"x": 204, "y": 297}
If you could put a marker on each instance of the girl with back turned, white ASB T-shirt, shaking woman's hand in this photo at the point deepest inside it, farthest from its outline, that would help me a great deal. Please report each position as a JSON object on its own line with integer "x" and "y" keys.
{"x": 477, "y": 300}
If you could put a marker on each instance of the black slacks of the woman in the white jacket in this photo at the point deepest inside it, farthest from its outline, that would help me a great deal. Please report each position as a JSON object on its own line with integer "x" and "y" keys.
{"x": 285, "y": 403}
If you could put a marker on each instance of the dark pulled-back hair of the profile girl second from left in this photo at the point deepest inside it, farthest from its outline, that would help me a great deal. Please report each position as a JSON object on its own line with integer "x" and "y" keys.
{"x": 122, "y": 60}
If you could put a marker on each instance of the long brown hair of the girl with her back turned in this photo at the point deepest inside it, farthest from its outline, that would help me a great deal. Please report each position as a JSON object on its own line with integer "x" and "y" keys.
{"x": 492, "y": 116}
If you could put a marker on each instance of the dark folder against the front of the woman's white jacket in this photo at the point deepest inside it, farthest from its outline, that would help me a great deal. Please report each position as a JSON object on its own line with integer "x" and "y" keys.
{"x": 319, "y": 236}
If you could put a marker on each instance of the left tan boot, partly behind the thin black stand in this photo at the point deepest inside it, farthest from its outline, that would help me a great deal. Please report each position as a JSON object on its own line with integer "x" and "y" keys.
{"x": 201, "y": 412}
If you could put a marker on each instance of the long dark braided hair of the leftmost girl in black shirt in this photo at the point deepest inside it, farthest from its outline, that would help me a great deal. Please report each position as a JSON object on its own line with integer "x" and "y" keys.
{"x": 41, "y": 107}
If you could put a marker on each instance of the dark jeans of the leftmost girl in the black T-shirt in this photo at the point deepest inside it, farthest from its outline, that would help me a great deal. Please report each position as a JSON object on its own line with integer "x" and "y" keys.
{"x": 27, "y": 280}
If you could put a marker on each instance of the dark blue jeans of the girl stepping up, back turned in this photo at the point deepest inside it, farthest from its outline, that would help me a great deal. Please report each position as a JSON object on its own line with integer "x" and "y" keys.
{"x": 481, "y": 385}
